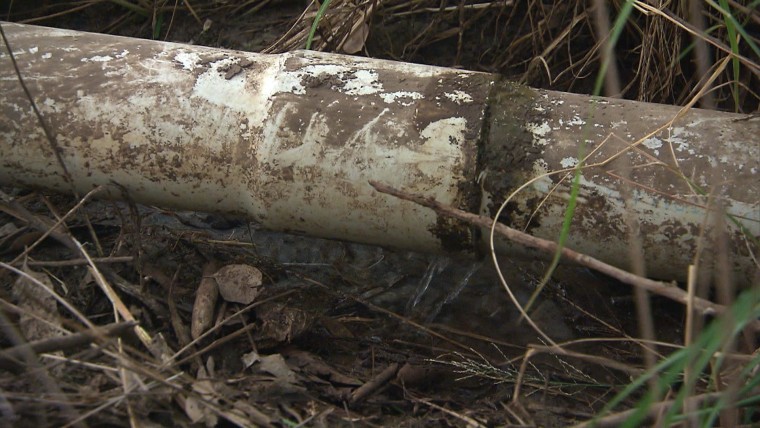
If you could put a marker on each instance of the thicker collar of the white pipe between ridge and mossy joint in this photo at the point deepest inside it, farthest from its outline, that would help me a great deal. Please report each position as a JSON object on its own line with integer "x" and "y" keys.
{"x": 367, "y": 119}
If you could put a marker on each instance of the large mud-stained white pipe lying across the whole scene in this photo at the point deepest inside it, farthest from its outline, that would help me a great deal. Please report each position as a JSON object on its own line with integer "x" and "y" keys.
{"x": 292, "y": 140}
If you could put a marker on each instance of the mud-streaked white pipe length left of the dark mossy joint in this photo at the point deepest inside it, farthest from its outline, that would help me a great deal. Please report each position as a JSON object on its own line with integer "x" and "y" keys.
{"x": 287, "y": 140}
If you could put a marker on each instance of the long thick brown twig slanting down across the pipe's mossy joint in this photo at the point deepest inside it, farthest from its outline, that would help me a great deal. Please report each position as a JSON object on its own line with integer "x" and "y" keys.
{"x": 672, "y": 292}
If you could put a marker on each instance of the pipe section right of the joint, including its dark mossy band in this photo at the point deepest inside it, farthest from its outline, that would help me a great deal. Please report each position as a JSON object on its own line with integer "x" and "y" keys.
{"x": 671, "y": 184}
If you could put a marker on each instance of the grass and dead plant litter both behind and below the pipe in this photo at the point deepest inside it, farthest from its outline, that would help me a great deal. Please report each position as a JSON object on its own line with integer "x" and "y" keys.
{"x": 691, "y": 369}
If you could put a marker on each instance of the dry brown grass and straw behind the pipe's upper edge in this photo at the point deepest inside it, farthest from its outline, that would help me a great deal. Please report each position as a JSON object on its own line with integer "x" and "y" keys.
{"x": 665, "y": 51}
